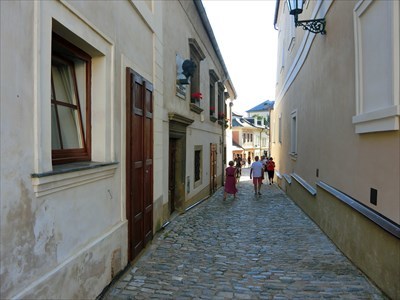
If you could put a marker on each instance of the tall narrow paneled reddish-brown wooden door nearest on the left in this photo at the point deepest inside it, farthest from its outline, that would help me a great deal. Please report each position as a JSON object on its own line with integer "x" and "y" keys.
{"x": 139, "y": 162}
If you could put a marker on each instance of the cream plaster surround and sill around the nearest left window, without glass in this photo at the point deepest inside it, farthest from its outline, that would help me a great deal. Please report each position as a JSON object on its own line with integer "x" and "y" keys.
{"x": 59, "y": 18}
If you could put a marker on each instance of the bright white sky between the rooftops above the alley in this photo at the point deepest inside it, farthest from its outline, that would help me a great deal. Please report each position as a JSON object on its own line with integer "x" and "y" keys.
{"x": 244, "y": 30}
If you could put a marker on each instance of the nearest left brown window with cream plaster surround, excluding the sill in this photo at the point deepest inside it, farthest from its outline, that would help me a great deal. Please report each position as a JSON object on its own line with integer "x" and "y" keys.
{"x": 77, "y": 74}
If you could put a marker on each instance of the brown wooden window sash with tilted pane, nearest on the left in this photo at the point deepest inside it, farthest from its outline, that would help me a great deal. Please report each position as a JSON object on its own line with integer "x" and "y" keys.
{"x": 70, "y": 102}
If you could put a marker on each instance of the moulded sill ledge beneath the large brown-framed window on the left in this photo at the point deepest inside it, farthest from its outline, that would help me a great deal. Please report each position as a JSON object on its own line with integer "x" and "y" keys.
{"x": 70, "y": 175}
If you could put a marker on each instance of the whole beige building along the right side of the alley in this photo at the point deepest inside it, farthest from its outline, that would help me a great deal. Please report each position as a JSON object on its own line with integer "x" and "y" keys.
{"x": 335, "y": 127}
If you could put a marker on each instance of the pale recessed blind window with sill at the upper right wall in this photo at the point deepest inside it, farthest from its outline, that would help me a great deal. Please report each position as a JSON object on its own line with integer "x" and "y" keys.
{"x": 377, "y": 66}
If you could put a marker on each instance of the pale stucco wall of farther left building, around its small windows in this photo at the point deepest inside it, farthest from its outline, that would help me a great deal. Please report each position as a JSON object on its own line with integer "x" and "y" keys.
{"x": 181, "y": 24}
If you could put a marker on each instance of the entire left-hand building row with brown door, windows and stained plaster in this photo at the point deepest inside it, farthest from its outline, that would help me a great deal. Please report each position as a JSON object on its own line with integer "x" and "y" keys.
{"x": 96, "y": 129}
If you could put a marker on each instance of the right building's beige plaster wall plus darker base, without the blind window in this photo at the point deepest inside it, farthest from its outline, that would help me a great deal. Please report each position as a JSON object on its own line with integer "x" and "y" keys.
{"x": 322, "y": 91}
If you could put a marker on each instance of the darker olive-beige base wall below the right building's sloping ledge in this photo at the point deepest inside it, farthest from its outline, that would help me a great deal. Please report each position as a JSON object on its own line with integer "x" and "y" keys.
{"x": 369, "y": 247}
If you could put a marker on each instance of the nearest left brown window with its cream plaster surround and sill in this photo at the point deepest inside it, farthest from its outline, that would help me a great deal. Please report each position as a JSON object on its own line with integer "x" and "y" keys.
{"x": 71, "y": 127}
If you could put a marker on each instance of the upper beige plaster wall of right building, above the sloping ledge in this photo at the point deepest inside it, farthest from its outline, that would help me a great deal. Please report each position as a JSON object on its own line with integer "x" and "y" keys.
{"x": 323, "y": 94}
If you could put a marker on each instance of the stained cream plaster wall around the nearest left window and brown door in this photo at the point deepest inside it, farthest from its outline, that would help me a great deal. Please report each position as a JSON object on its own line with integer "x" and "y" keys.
{"x": 63, "y": 236}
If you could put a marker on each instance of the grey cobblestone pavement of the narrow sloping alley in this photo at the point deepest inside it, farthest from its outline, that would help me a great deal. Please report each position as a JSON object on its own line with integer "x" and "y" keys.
{"x": 254, "y": 247}
